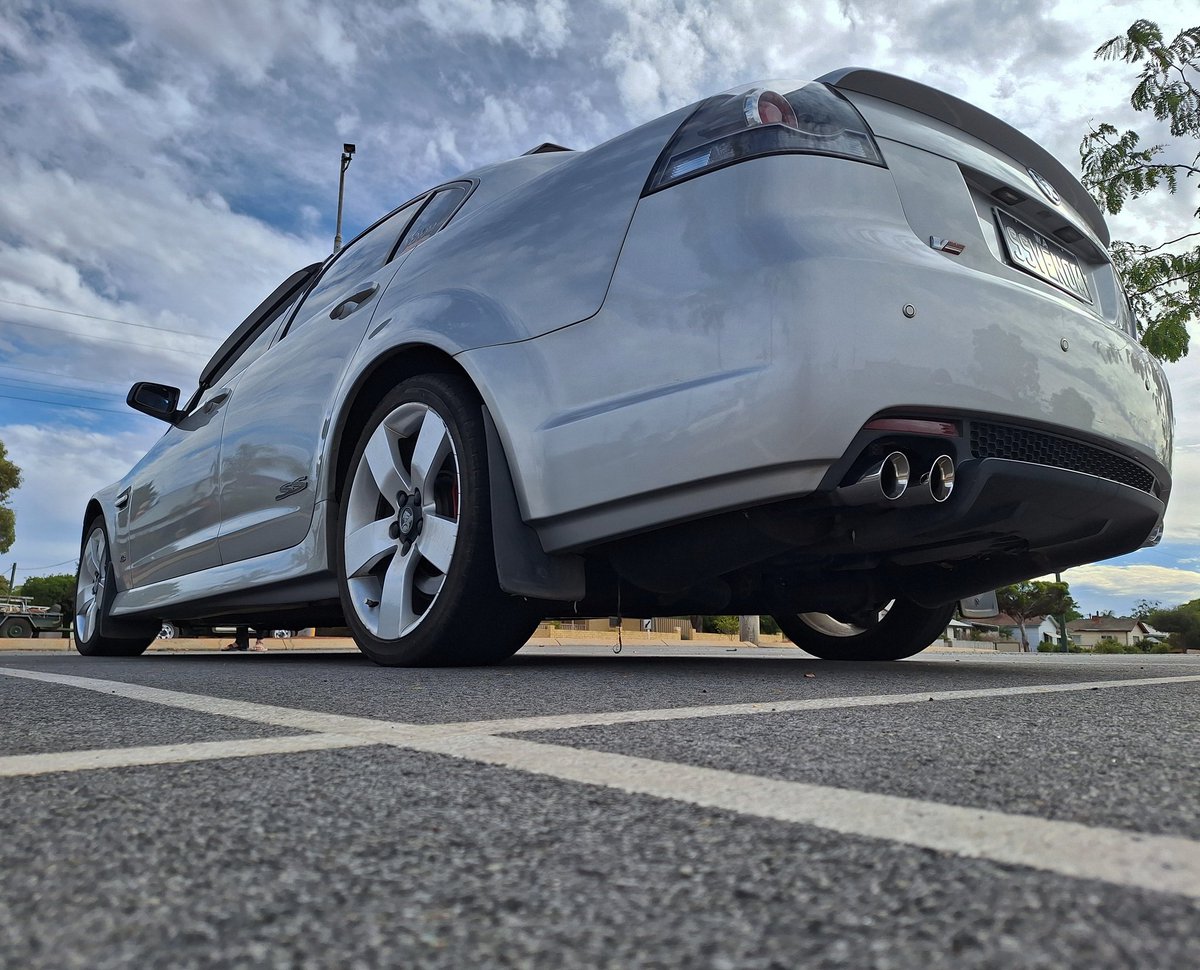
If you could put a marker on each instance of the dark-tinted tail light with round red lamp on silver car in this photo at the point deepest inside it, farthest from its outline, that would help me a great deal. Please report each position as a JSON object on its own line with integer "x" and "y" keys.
{"x": 813, "y": 119}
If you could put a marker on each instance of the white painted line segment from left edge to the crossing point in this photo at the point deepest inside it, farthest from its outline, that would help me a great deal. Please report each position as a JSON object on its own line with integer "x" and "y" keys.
{"x": 170, "y": 755}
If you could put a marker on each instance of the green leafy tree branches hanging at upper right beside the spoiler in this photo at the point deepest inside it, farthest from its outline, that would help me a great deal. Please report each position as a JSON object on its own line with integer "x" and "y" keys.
{"x": 1163, "y": 280}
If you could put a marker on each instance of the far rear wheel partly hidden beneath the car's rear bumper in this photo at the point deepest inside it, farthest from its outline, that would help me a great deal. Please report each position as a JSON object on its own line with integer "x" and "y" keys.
{"x": 903, "y": 631}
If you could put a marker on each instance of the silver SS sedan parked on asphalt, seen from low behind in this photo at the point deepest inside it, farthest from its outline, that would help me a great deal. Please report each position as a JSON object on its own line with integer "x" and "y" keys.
{"x": 842, "y": 352}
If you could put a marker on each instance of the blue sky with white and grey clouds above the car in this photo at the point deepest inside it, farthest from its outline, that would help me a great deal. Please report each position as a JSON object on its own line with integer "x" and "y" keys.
{"x": 165, "y": 166}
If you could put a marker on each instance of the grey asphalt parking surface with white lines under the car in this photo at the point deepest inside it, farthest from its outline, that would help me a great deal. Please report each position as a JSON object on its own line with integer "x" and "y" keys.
{"x": 577, "y": 809}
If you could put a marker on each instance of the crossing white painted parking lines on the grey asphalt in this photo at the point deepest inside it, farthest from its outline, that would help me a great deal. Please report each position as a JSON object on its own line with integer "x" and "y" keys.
{"x": 1160, "y": 864}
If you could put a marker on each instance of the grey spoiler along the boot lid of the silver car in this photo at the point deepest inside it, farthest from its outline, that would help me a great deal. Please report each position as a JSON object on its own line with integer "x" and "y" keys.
{"x": 977, "y": 123}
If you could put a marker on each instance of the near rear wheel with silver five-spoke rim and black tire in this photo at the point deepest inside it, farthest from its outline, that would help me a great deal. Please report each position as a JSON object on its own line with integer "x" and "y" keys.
{"x": 415, "y": 555}
